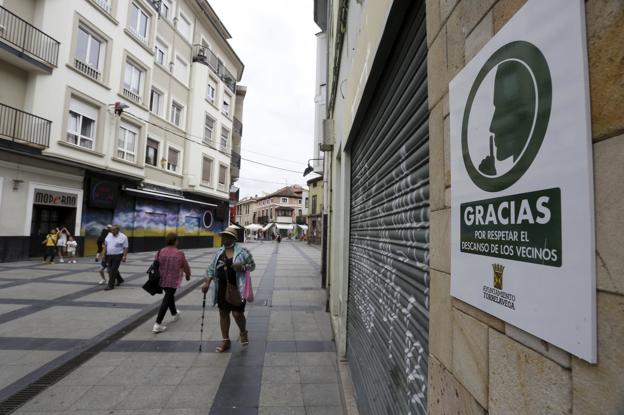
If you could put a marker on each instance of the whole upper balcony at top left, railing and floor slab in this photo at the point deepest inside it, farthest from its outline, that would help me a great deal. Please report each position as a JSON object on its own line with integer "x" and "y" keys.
{"x": 20, "y": 39}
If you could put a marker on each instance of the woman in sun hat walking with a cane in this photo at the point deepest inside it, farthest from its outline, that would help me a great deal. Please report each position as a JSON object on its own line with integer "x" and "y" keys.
{"x": 228, "y": 266}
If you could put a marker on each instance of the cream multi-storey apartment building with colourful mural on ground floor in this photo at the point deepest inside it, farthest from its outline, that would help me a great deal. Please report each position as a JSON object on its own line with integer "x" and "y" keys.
{"x": 124, "y": 111}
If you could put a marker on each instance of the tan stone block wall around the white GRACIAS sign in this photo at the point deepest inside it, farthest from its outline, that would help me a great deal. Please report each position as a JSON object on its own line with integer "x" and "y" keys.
{"x": 479, "y": 364}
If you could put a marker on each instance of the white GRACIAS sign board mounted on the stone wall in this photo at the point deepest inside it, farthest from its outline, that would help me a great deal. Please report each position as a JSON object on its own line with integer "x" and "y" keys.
{"x": 521, "y": 165}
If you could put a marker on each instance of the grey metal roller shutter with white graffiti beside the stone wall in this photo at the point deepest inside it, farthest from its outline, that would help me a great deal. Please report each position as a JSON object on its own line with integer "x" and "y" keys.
{"x": 388, "y": 317}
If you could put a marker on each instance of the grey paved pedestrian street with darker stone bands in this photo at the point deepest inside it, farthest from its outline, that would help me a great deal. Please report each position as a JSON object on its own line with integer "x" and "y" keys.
{"x": 53, "y": 314}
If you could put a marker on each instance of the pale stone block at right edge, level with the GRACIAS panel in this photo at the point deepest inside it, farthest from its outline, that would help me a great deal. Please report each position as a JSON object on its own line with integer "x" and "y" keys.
{"x": 609, "y": 188}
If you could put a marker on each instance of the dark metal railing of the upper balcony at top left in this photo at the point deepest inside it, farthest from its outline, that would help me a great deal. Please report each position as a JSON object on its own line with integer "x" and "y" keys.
{"x": 27, "y": 38}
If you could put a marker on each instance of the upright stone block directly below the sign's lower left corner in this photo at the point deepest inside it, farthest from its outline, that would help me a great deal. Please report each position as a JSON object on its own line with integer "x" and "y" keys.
{"x": 470, "y": 355}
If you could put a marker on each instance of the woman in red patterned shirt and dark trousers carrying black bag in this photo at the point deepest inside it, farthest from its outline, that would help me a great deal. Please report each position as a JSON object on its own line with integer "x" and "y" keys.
{"x": 172, "y": 265}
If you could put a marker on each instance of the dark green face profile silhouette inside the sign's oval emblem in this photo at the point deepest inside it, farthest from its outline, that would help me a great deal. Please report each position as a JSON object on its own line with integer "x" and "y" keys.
{"x": 514, "y": 100}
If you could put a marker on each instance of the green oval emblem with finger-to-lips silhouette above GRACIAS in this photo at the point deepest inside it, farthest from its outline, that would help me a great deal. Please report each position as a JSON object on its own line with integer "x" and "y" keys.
{"x": 506, "y": 116}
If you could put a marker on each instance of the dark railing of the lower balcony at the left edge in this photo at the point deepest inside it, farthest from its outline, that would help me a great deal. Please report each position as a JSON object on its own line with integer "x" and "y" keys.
{"x": 20, "y": 126}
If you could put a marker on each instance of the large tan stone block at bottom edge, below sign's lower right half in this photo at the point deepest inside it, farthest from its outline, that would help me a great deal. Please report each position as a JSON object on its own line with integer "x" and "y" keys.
{"x": 525, "y": 382}
